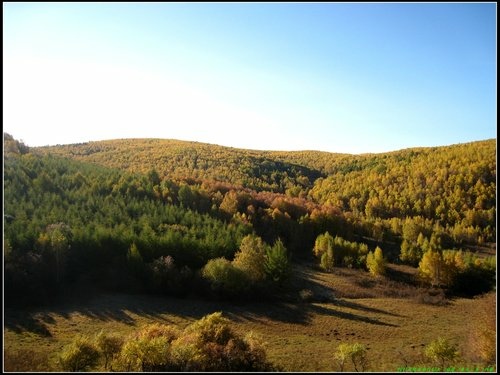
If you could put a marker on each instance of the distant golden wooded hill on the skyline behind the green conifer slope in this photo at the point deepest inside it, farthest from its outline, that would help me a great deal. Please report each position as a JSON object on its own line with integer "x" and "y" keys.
{"x": 257, "y": 170}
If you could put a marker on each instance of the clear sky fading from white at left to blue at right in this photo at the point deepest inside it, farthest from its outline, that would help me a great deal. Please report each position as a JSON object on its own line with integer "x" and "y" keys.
{"x": 338, "y": 77}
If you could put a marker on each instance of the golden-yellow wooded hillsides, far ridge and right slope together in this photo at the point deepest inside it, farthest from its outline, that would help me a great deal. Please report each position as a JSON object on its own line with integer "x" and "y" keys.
{"x": 450, "y": 187}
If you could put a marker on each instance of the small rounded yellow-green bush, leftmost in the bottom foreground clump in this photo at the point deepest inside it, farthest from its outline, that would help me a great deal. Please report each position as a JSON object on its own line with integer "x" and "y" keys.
{"x": 80, "y": 355}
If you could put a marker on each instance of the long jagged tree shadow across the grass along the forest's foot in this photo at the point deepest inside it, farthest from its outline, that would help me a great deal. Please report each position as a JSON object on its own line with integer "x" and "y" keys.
{"x": 124, "y": 308}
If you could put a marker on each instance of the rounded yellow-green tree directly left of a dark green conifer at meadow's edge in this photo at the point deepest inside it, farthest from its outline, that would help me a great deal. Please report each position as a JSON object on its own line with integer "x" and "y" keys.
{"x": 251, "y": 258}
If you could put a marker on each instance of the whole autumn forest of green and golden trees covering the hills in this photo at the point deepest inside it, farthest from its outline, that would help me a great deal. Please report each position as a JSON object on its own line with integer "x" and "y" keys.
{"x": 177, "y": 218}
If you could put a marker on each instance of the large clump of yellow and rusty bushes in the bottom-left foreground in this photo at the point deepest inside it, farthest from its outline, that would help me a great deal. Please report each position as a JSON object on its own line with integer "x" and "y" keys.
{"x": 208, "y": 344}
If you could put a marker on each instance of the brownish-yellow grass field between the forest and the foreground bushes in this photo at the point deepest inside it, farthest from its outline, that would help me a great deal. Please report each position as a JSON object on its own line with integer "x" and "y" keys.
{"x": 394, "y": 320}
